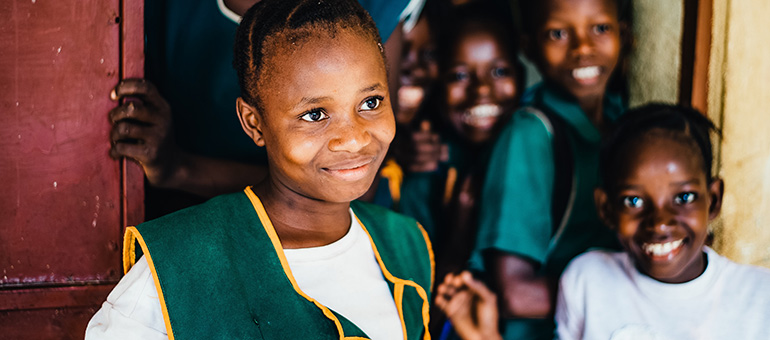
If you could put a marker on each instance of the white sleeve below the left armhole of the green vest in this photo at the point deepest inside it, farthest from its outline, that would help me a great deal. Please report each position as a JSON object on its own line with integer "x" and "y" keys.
{"x": 132, "y": 310}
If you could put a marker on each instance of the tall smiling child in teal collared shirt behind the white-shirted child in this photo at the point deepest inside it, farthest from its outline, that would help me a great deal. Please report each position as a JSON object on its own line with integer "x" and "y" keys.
{"x": 537, "y": 210}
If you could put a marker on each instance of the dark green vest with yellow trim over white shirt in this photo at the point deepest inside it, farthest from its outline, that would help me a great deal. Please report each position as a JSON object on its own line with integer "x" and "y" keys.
{"x": 221, "y": 273}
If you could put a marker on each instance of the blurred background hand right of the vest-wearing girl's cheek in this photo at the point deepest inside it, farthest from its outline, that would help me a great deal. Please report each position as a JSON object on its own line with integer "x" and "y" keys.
{"x": 428, "y": 149}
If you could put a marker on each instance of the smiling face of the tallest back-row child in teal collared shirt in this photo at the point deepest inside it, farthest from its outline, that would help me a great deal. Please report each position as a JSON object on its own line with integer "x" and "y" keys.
{"x": 578, "y": 45}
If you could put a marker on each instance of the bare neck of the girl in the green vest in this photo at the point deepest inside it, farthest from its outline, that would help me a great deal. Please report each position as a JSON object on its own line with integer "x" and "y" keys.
{"x": 300, "y": 221}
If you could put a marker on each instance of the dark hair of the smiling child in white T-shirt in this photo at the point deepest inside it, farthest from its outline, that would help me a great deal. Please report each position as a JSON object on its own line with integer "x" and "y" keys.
{"x": 680, "y": 122}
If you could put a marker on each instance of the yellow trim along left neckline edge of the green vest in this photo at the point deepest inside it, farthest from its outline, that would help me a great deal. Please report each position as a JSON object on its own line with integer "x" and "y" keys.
{"x": 270, "y": 230}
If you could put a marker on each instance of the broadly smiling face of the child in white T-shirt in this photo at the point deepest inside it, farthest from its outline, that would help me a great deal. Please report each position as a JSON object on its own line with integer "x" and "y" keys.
{"x": 660, "y": 206}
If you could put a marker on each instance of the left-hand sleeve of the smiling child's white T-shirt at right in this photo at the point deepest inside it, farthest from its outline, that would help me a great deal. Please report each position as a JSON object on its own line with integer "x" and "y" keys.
{"x": 569, "y": 309}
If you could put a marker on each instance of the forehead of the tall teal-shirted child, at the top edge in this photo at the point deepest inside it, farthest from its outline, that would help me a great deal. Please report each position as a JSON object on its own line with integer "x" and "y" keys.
{"x": 577, "y": 9}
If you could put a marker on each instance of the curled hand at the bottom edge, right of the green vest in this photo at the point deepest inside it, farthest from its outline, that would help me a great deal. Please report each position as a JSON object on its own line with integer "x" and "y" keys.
{"x": 470, "y": 305}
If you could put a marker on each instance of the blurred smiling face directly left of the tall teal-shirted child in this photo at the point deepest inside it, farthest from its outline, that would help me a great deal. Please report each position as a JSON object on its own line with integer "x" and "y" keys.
{"x": 480, "y": 84}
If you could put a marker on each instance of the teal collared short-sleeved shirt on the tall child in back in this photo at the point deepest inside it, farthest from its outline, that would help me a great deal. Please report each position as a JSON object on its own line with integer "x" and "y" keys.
{"x": 515, "y": 214}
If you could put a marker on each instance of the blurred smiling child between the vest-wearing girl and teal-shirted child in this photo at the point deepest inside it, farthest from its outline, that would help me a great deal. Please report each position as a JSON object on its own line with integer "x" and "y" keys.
{"x": 478, "y": 89}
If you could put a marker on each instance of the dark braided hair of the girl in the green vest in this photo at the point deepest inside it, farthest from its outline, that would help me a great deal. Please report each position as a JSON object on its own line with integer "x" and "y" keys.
{"x": 293, "y": 21}
